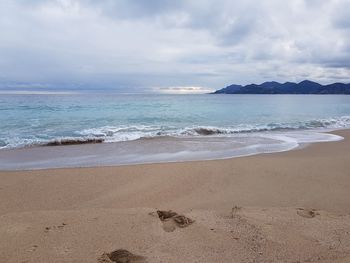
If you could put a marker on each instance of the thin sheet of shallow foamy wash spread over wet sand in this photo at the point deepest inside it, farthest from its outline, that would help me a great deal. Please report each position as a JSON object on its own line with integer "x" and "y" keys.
{"x": 91, "y": 155}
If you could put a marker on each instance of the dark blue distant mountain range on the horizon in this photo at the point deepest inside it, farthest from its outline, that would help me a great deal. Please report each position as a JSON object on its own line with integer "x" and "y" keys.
{"x": 273, "y": 87}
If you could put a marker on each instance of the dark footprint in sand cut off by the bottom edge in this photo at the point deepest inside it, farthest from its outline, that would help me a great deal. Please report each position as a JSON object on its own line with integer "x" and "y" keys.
{"x": 121, "y": 256}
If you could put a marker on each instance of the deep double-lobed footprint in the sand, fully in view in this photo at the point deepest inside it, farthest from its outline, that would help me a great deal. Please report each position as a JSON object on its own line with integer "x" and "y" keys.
{"x": 171, "y": 220}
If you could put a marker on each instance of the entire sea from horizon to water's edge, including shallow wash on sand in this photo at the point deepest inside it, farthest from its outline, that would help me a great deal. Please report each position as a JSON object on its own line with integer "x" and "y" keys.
{"x": 152, "y": 128}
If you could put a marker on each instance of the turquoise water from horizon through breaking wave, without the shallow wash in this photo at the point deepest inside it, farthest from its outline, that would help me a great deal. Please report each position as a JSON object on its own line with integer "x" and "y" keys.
{"x": 35, "y": 119}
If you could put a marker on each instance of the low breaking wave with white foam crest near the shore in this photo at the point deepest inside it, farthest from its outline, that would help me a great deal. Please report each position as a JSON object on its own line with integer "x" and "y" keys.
{"x": 136, "y": 132}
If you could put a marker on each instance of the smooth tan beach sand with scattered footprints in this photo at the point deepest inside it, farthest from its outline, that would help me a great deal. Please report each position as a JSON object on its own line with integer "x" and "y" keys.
{"x": 283, "y": 207}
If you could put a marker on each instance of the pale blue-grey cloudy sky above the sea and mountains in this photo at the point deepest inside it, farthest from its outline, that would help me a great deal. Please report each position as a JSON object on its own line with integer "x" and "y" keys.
{"x": 168, "y": 46}
